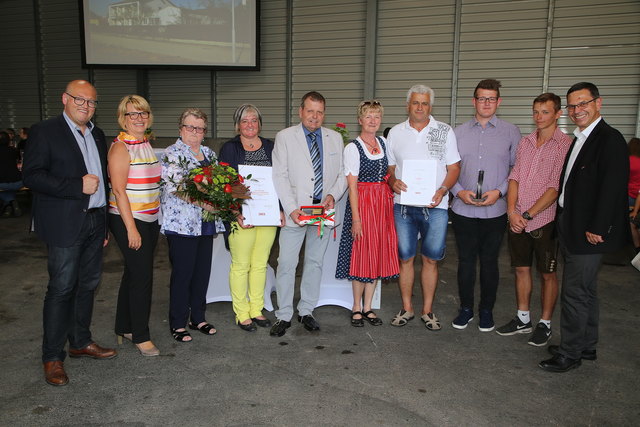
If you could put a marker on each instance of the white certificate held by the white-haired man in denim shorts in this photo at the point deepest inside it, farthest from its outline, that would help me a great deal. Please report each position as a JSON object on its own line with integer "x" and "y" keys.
{"x": 420, "y": 178}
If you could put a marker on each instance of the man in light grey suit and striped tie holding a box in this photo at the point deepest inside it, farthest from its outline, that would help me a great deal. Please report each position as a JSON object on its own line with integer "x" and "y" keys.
{"x": 307, "y": 170}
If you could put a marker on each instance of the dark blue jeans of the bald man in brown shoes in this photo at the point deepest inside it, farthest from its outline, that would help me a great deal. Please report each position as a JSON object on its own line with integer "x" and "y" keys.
{"x": 74, "y": 275}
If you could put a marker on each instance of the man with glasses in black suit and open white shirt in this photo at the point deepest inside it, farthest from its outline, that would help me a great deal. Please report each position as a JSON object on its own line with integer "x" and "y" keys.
{"x": 591, "y": 220}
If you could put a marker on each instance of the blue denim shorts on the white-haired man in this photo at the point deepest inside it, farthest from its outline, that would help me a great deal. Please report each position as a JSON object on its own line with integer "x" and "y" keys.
{"x": 428, "y": 223}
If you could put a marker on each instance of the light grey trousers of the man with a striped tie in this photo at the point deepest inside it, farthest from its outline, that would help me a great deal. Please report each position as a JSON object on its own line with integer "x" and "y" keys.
{"x": 291, "y": 239}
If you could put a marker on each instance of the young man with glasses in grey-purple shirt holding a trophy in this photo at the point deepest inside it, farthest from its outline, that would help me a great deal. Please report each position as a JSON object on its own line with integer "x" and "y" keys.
{"x": 488, "y": 144}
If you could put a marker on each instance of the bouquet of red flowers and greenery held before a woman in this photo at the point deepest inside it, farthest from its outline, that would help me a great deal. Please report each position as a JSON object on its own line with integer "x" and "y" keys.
{"x": 218, "y": 188}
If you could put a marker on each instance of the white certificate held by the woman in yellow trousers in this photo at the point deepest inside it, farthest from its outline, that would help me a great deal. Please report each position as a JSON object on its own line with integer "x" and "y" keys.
{"x": 262, "y": 208}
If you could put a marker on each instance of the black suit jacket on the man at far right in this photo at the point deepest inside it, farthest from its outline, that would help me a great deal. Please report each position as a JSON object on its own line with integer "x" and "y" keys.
{"x": 595, "y": 196}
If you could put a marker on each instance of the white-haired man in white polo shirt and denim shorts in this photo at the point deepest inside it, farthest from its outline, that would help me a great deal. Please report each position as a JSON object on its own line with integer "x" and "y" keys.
{"x": 421, "y": 137}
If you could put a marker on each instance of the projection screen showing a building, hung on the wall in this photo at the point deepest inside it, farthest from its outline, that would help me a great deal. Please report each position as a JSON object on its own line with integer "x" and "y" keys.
{"x": 218, "y": 34}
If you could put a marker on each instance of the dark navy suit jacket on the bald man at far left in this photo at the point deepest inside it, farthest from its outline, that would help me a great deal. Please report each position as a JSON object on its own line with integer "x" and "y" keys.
{"x": 53, "y": 170}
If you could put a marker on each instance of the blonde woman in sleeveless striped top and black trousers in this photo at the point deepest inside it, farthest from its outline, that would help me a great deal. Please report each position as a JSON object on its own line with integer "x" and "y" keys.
{"x": 134, "y": 202}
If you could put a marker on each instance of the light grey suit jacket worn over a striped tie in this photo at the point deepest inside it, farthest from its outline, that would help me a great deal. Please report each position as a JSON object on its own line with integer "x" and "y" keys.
{"x": 293, "y": 171}
